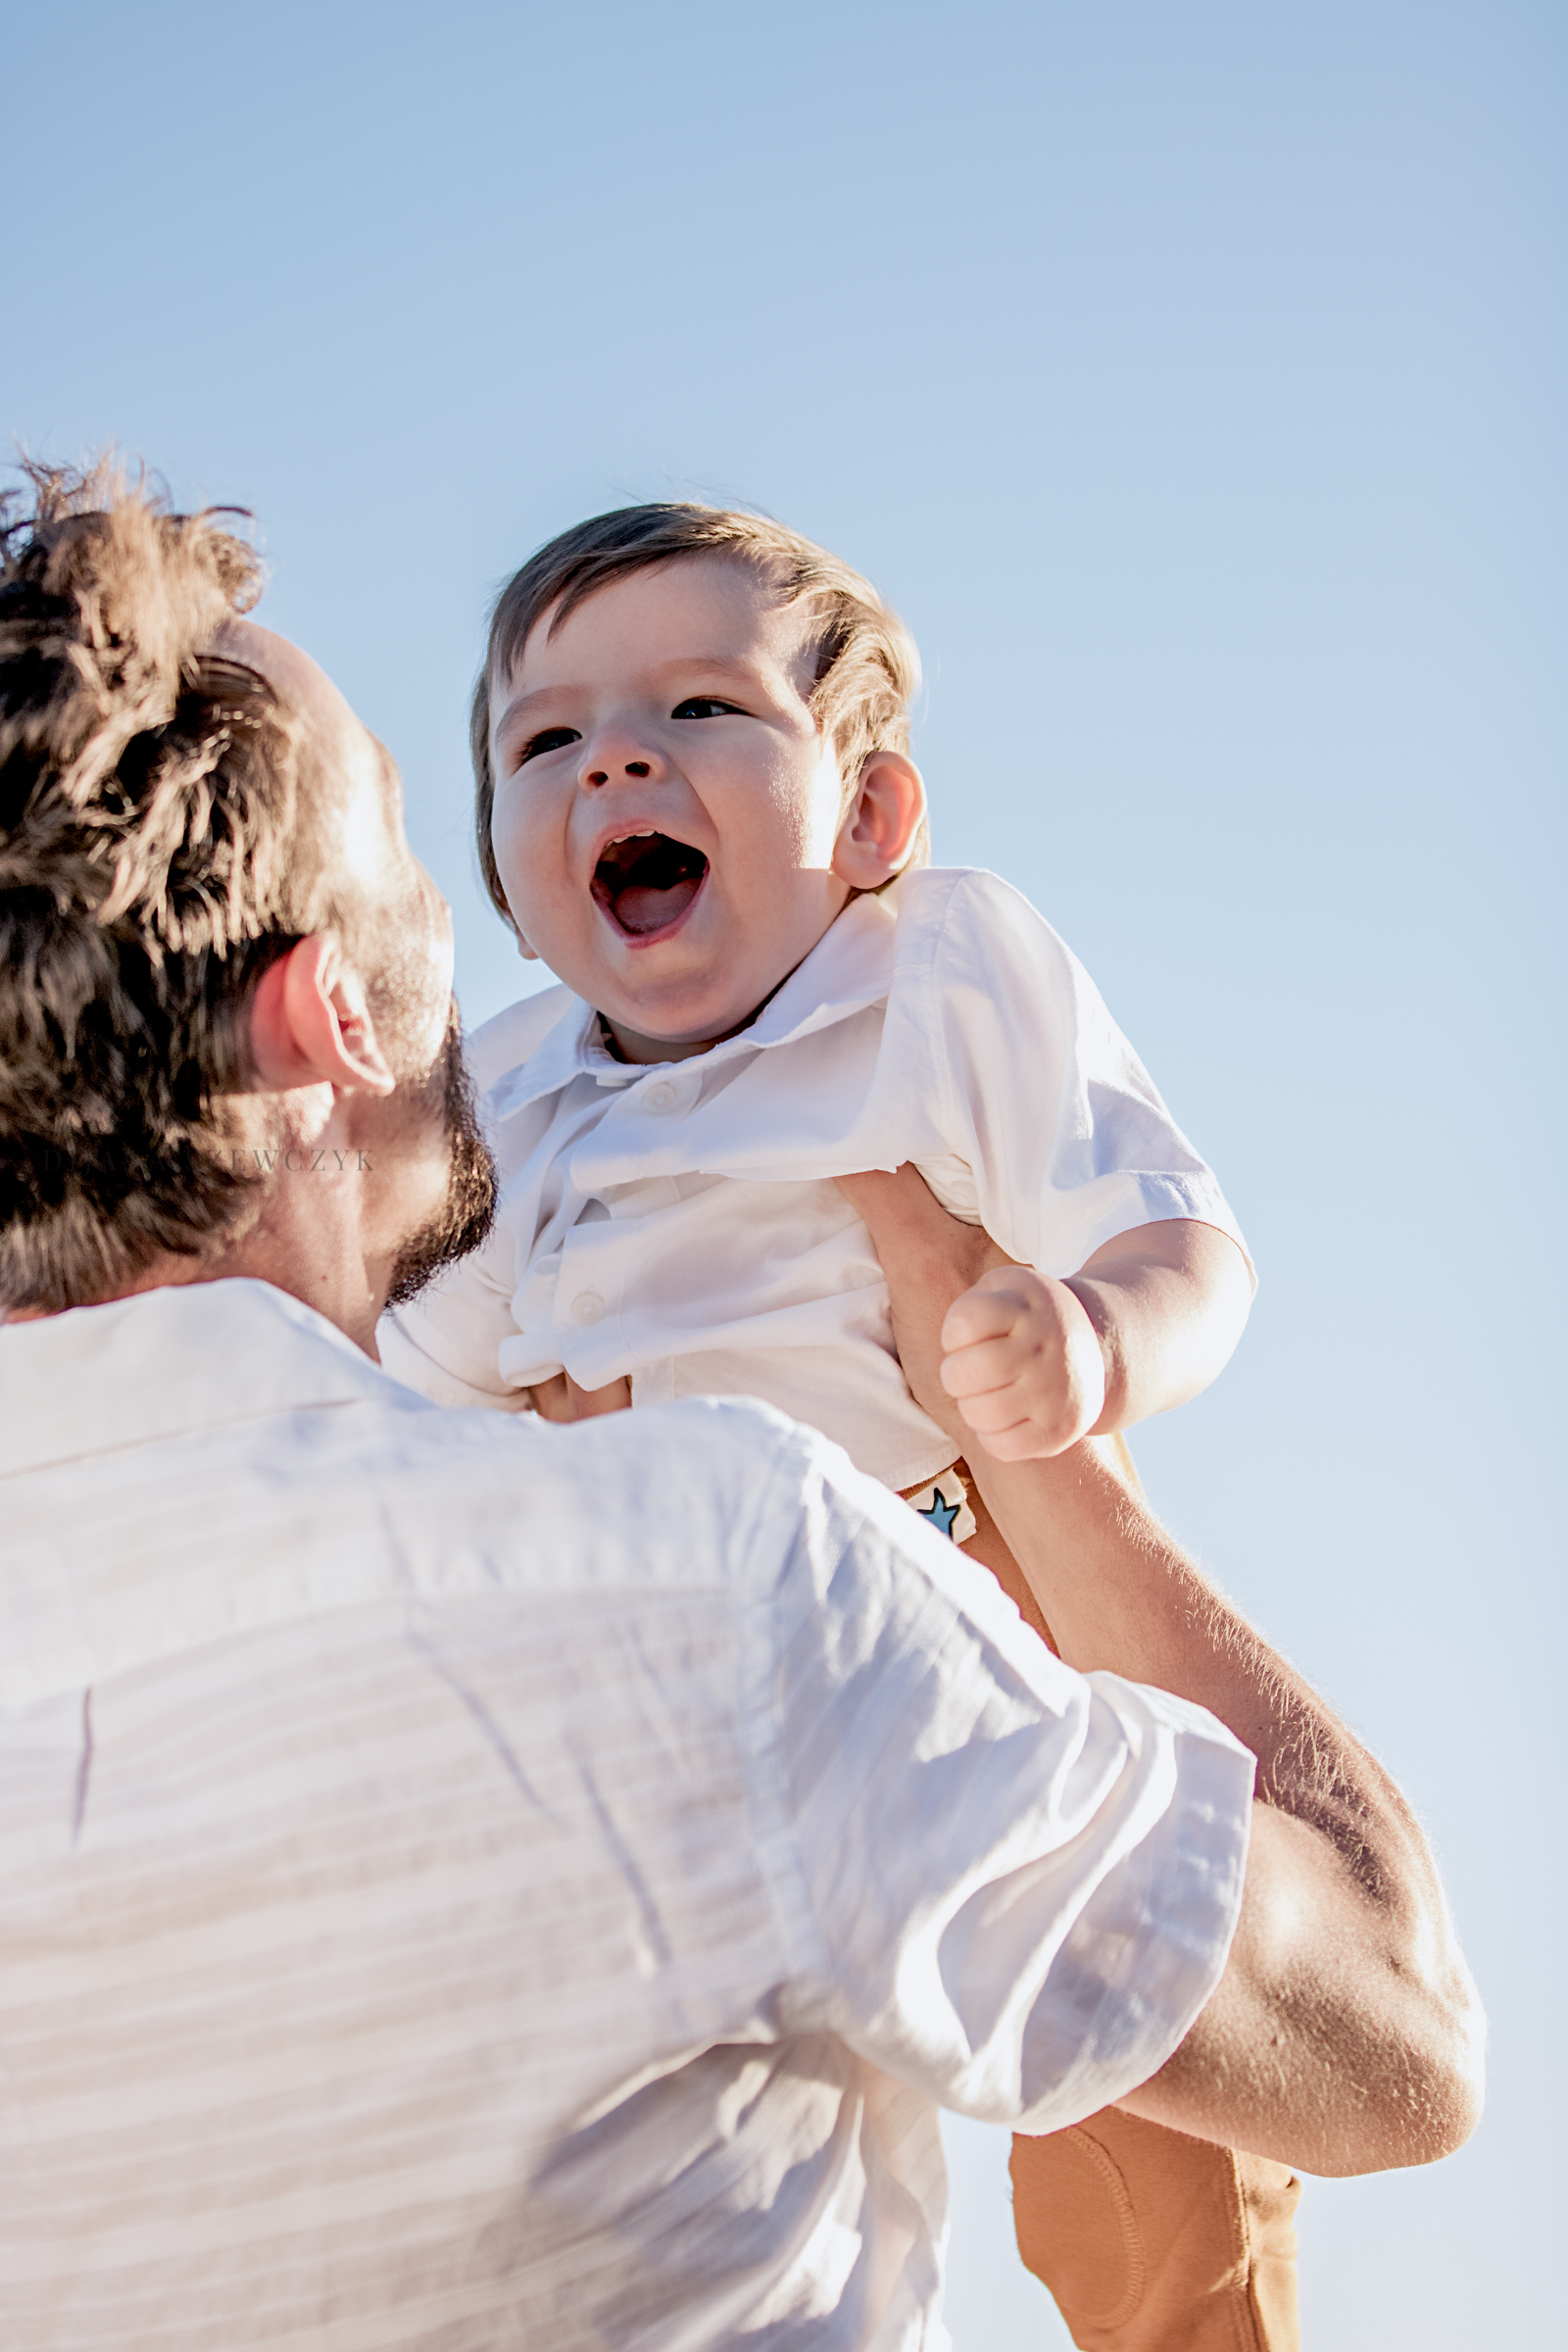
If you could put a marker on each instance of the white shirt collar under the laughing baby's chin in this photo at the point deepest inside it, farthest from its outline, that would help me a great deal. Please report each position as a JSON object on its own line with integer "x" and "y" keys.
{"x": 850, "y": 968}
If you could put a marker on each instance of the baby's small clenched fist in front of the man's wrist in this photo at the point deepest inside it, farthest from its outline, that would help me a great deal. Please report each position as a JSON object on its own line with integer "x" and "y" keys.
{"x": 1024, "y": 1365}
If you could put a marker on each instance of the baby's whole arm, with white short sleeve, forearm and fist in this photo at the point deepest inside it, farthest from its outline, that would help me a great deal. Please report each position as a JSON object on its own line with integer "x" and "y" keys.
{"x": 1080, "y": 1151}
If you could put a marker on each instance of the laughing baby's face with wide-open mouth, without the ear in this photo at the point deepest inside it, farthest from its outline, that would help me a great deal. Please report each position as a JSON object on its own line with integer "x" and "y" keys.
{"x": 666, "y": 810}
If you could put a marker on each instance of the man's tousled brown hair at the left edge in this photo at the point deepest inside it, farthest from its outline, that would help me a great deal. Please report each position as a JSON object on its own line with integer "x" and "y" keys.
{"x": 152, "y": 864}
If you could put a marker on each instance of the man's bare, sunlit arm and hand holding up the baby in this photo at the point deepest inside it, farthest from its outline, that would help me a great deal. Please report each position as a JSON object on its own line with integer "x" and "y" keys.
{"x": 1346, "y": 2033}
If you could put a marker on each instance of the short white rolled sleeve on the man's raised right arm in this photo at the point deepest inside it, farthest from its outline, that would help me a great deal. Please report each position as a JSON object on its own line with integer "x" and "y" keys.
{"x": 1024, "y": 1880}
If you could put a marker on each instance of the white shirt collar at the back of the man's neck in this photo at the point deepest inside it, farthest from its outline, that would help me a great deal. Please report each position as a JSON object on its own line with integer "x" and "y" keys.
{"x": 166, "y": 1363}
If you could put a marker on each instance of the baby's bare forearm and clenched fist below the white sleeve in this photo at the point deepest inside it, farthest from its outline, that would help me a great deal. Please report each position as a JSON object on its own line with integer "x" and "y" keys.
{"x": 1144, "y": 1325}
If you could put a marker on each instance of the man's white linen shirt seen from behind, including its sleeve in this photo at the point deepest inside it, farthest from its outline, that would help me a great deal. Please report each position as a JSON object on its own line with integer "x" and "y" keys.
{"x": 467, "y": 1883}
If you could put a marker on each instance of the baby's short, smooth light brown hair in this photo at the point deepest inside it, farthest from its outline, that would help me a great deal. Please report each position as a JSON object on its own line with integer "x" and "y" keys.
{"x": 866, "y": 662}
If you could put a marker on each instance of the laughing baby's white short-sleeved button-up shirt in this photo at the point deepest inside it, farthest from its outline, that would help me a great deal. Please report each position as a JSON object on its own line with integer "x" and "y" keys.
{"x": 678, "y": 1224}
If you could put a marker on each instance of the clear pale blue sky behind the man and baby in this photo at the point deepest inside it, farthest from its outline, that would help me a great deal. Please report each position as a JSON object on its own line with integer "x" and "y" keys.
{"x": 1193, "y": 380}
